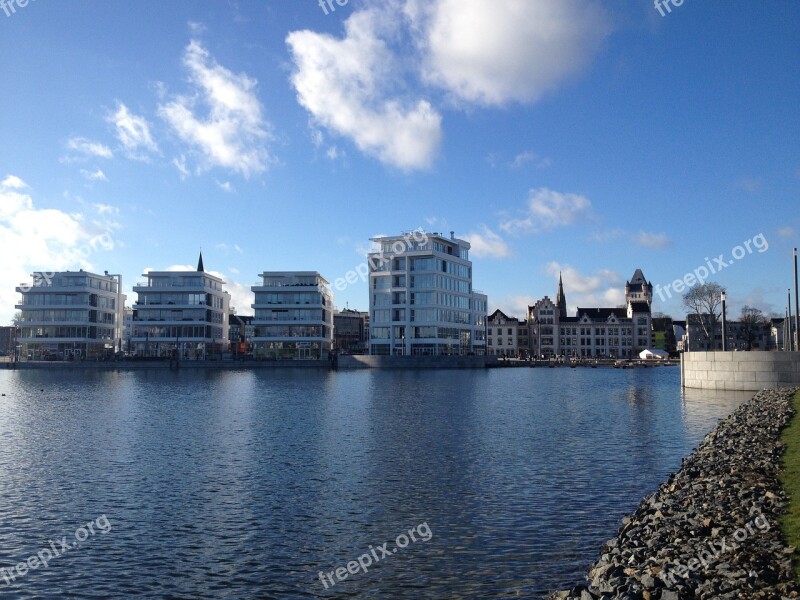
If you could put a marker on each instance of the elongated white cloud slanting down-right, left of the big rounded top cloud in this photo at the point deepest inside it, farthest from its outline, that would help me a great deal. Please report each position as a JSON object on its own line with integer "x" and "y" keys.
{"x": 345, "y": 84}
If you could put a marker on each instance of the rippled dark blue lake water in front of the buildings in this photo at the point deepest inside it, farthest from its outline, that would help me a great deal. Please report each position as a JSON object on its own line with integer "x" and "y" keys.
{"x": 248, "y": 484}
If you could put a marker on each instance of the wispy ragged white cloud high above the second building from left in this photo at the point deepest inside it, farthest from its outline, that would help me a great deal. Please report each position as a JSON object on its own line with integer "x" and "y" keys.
{"x": 233, "y": 134}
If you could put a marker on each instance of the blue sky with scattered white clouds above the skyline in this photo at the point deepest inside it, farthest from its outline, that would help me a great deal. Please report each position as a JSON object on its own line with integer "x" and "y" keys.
{"x": 556, "y": 135}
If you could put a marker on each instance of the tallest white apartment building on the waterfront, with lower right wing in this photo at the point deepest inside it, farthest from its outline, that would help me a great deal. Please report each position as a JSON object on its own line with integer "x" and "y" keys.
{"x": 421, "y": 297}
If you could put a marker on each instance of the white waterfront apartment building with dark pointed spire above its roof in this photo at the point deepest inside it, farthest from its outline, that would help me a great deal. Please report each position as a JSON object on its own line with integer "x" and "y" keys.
{"x": 180, "y": 314}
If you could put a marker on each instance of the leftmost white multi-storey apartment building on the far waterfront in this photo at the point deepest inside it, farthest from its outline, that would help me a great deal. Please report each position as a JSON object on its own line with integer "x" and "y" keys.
{"x": 70, "y": 315}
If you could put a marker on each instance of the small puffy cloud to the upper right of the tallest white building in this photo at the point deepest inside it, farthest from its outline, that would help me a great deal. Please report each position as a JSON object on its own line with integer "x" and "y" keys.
{"x": 548, "y": 209}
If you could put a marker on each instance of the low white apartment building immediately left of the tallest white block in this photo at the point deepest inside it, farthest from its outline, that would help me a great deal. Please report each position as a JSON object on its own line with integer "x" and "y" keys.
{"x": 293, "y": 316}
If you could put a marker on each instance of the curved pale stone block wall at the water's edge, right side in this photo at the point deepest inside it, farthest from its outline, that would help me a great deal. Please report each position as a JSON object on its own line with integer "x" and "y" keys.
{"x": 744, "y": 371}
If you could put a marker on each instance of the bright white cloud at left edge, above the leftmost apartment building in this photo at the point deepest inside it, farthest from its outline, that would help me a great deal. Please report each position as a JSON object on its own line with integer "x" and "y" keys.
{"x": 53, "y": 241}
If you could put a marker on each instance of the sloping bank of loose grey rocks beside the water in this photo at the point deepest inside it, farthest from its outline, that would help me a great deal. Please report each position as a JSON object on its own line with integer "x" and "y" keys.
{"x": 710, "y": 531}
